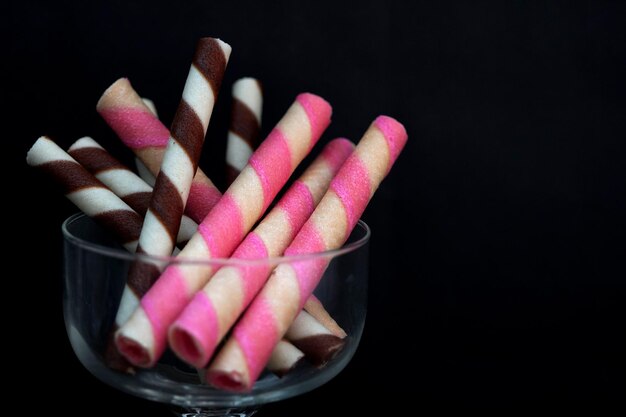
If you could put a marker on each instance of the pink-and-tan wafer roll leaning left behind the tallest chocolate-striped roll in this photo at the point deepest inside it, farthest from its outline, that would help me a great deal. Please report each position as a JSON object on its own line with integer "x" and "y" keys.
{"x": 125, "y": 112}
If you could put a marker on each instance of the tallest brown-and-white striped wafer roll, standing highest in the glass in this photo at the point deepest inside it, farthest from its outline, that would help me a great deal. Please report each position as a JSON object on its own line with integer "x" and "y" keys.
{"x": 180, "y": 161}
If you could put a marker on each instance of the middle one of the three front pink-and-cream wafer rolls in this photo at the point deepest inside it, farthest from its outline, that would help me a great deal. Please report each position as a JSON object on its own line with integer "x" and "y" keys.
{"x": 213, "y": 310}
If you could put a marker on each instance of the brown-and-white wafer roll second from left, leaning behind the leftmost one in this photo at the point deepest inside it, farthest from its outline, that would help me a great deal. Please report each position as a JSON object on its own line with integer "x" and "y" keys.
{"x": 122, "y": 181}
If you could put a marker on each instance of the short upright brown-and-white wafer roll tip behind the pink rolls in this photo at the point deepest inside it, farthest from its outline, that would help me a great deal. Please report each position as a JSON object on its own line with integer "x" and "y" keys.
{"x": 245, "y": 125}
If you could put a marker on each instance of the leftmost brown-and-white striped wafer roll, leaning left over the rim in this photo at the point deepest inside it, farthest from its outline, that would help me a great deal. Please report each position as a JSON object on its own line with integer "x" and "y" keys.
{"x": 86, "y": 191}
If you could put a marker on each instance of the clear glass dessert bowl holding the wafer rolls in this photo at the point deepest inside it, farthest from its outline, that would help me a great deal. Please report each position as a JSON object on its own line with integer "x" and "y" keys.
{"x": 95, "y": 269}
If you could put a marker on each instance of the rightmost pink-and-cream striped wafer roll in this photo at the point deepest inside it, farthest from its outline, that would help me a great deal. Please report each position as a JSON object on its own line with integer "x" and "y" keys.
{"x": 241, "y": 360}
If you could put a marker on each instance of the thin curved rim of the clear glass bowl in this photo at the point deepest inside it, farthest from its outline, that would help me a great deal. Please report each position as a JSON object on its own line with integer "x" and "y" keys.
{"x": 125, "y": 255}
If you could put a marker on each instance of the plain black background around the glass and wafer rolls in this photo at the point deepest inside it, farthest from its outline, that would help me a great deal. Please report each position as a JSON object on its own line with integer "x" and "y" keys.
{"x": 498, "y": 247}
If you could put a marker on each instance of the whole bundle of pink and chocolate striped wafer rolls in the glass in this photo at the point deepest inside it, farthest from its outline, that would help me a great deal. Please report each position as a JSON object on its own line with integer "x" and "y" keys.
{"x": 235, "y": 320}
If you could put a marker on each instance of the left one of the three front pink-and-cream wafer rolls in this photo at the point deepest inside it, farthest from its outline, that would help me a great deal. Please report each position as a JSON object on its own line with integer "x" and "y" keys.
{"x": 143, "y": 338}
